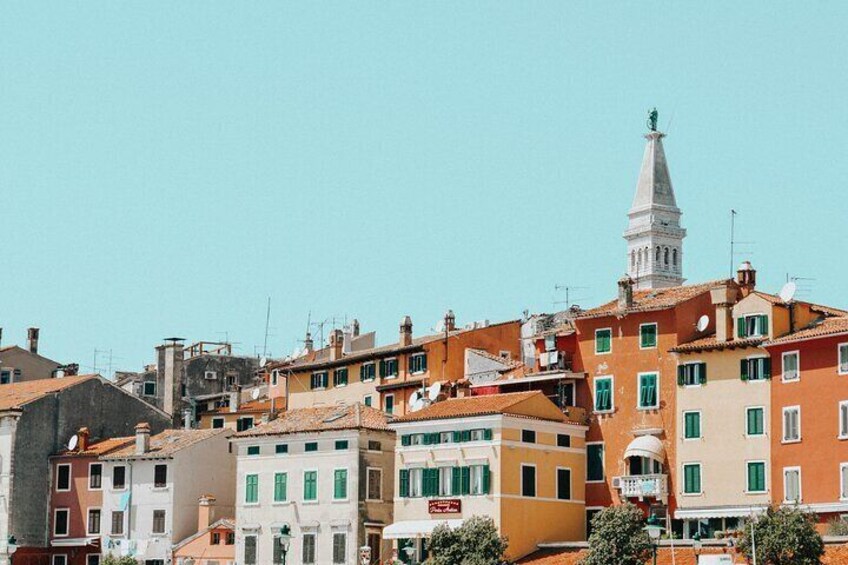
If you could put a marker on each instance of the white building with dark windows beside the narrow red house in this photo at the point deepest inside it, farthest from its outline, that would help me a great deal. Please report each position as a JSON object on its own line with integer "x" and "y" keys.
{"x": 151, "y": 490}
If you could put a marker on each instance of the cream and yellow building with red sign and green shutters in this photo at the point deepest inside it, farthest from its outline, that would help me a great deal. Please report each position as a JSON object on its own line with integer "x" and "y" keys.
{"x": 513, "y": 457}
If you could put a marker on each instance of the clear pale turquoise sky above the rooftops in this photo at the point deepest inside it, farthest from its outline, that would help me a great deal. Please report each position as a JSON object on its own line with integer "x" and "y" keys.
{"x": 166, "y": 167}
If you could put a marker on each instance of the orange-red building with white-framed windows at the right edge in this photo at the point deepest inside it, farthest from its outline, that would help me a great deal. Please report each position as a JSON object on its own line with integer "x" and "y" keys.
{"x": 809, "y": 419}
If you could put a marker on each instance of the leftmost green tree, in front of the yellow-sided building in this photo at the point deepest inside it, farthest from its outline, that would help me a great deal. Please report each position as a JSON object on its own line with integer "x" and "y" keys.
{"x": 475, "y": 542}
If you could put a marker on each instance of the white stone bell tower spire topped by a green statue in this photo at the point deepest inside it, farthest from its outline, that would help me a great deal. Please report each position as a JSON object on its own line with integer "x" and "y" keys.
{"x": 654, "y": 236}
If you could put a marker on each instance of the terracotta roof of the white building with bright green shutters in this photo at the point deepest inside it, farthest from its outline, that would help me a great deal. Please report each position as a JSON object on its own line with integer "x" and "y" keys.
{"x": 321, "y": 419}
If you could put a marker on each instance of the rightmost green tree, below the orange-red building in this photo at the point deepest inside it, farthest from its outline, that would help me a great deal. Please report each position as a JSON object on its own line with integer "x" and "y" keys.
{"x": 783, "y": 536}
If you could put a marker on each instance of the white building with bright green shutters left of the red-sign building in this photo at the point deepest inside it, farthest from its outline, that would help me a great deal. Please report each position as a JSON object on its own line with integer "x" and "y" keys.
{"x": 326, "y": 473}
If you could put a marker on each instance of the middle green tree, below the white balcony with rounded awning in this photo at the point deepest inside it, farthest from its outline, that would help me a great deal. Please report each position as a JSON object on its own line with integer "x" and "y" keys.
{"x": 618, "y": 537}
